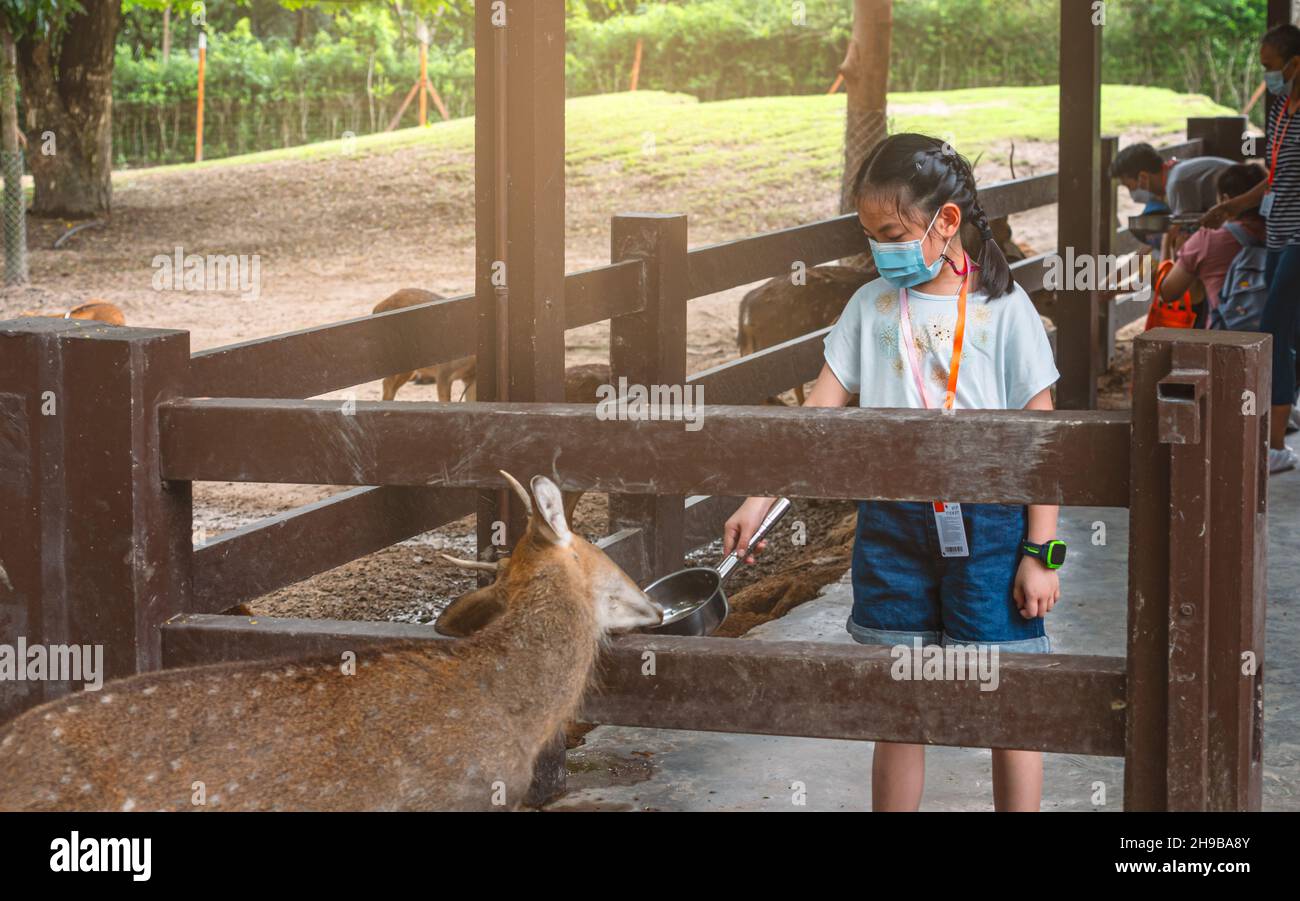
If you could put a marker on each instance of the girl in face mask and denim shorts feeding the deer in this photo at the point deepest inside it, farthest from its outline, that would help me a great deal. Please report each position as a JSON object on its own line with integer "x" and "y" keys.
{"x": 939, "y": 330}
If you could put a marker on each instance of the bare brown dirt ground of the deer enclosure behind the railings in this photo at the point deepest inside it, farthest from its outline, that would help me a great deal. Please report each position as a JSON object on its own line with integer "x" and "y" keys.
{"x": 333, "y": 239}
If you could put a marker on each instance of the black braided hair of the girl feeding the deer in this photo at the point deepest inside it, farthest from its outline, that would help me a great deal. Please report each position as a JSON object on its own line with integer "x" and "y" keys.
{"x": 929, "y": 174}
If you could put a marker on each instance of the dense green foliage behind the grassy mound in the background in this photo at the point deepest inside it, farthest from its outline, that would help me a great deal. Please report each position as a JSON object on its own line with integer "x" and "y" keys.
{"x": 276, "y": 79}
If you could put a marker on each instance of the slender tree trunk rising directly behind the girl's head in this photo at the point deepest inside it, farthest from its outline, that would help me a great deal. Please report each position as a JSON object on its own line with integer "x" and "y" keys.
{"x": 866, "y": 79}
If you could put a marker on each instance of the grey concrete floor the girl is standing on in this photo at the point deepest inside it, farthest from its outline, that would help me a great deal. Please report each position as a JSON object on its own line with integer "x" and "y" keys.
{"x": 634, "y": 769}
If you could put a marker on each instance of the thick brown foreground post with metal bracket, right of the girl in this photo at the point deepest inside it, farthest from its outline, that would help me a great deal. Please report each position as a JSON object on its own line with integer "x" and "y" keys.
{"x": 1197, "y": 571}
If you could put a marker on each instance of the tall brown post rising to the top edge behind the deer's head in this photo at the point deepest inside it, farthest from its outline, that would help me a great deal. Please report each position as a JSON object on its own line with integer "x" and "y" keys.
{"x": 519, "y": 228}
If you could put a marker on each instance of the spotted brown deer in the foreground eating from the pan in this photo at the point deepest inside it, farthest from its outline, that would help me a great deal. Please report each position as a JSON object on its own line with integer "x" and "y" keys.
{"x": 421, "y": 726}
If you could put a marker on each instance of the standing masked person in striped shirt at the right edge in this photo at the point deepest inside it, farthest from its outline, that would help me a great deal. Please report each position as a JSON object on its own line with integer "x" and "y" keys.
{"x": 1279, "y": 200}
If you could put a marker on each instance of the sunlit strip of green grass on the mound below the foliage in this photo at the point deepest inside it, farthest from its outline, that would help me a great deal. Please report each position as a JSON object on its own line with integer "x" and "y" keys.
{"x": 668, "y": 137}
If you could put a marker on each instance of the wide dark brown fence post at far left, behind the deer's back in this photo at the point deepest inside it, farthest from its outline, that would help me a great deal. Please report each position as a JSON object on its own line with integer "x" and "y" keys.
{"x": 96, "y": 548}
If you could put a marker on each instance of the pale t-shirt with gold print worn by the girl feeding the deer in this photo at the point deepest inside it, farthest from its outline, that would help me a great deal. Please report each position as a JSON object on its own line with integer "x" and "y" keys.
{"x": 1007, "y": 358}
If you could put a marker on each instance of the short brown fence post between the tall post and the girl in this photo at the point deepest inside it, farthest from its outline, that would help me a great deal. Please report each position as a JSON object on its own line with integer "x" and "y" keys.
{"x": 651, "y": 349}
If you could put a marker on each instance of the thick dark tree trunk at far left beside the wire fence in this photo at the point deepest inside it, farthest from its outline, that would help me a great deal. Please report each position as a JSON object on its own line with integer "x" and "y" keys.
{"x": 68, "y": 90}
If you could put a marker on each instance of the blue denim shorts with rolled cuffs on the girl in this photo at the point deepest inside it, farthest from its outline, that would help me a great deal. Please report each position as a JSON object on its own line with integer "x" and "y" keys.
{"x": 904, "y": 588}
